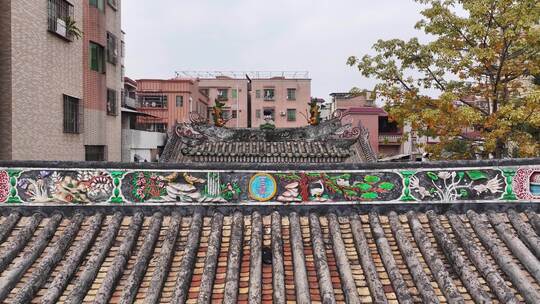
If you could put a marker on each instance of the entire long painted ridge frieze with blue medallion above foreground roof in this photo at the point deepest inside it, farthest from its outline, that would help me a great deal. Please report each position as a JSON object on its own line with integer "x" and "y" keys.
{"x": 126, "y": 186}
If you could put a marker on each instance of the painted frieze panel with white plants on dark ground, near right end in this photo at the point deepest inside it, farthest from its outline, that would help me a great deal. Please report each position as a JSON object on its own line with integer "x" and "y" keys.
{"x": 447, "y": 186}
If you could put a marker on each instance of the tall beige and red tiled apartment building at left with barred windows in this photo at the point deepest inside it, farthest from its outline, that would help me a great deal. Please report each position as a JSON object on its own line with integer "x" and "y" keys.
{"x": 59, "y": 88}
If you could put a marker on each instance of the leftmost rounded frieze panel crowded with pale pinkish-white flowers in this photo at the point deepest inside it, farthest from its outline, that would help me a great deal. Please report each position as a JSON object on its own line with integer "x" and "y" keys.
{"x": 82, "y": 187}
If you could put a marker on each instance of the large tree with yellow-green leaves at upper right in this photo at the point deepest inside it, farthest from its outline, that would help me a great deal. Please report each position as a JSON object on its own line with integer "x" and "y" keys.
{"x": 480, "y": 62}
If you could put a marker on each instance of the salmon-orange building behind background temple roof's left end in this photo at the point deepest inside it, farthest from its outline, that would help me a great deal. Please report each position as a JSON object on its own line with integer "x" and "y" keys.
{"x": 169, "y": 101}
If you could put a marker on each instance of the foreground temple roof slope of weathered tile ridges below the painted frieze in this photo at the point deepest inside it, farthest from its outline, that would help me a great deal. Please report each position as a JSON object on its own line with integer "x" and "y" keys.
{"x": 195, "y": 255}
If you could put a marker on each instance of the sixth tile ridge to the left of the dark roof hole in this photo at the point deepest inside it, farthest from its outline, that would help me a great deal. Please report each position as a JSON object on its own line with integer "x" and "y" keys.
{"x": 141, "y": 263}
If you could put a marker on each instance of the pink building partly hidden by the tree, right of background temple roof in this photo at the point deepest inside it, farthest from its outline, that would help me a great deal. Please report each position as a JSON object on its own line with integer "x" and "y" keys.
{"x": 385, "y": 136}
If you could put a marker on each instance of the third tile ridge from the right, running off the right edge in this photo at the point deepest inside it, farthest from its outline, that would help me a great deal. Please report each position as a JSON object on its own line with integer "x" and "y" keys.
{"x": 517, "y": 247}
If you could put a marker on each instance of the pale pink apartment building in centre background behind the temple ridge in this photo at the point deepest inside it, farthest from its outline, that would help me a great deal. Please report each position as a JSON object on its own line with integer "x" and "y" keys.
{"x": 248, "y": 95}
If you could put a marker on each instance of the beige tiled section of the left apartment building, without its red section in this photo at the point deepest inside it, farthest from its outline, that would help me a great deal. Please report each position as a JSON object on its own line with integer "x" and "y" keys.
{"x": 41, "y": 71}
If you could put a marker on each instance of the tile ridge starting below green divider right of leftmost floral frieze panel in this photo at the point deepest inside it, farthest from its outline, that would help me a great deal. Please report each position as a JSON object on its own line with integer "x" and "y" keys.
{"x": 91, "y": 268}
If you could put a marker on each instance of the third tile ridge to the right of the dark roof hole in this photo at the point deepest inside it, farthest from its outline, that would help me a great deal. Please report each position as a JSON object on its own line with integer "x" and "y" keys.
{"x": 321, "y": 262}
